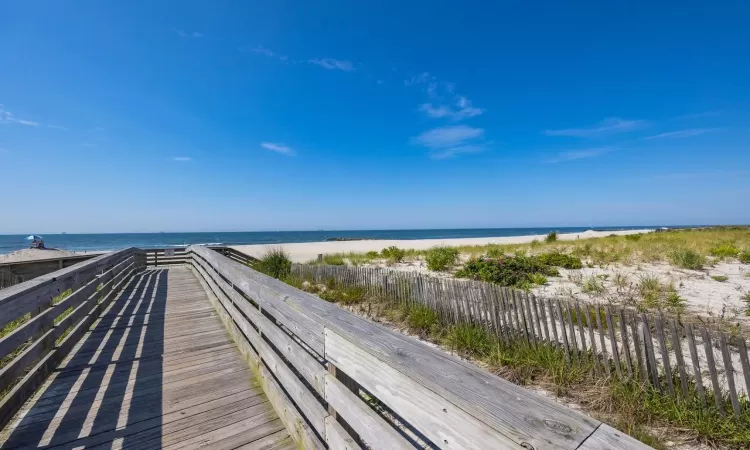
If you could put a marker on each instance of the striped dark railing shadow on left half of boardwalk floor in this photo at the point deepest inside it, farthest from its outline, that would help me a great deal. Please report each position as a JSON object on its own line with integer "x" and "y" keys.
{"x": 113, "y": 378}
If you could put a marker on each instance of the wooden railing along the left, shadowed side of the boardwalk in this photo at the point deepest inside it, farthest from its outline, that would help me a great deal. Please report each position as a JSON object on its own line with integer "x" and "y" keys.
{"x": 43, "y": 318}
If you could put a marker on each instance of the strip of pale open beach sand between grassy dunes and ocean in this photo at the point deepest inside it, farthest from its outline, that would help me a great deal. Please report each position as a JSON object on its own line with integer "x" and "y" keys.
{"x": 306, "y": 251}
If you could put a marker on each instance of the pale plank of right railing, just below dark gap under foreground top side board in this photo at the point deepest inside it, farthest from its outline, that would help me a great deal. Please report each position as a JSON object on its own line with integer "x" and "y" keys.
{"x": 372, "y": 429}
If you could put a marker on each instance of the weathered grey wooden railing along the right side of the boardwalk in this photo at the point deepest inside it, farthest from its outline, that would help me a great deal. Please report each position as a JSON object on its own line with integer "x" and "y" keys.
{"x": 340, "y": 381}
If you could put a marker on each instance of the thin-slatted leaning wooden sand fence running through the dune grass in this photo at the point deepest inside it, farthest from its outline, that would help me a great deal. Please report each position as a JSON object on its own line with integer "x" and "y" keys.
{"x": 675, "y": 356}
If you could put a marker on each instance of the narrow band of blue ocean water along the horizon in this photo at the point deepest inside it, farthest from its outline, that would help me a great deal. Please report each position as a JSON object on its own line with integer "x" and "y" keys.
{"x": 113, "y": 241}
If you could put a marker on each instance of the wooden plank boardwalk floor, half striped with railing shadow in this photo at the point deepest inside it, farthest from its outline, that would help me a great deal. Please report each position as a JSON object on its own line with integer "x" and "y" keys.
{"x": 158, "y": 370}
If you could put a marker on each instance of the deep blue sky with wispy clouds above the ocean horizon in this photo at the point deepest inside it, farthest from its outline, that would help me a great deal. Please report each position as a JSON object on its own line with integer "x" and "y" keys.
{"x": 293, "y": 115}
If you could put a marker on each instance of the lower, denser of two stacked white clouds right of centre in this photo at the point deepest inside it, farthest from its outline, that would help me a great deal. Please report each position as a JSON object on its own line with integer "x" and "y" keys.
{"x": 447, "y": 142}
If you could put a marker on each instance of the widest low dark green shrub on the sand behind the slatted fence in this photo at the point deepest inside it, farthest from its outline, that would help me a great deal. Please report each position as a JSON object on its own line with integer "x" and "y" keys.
{"x": 507, "y": 271}
